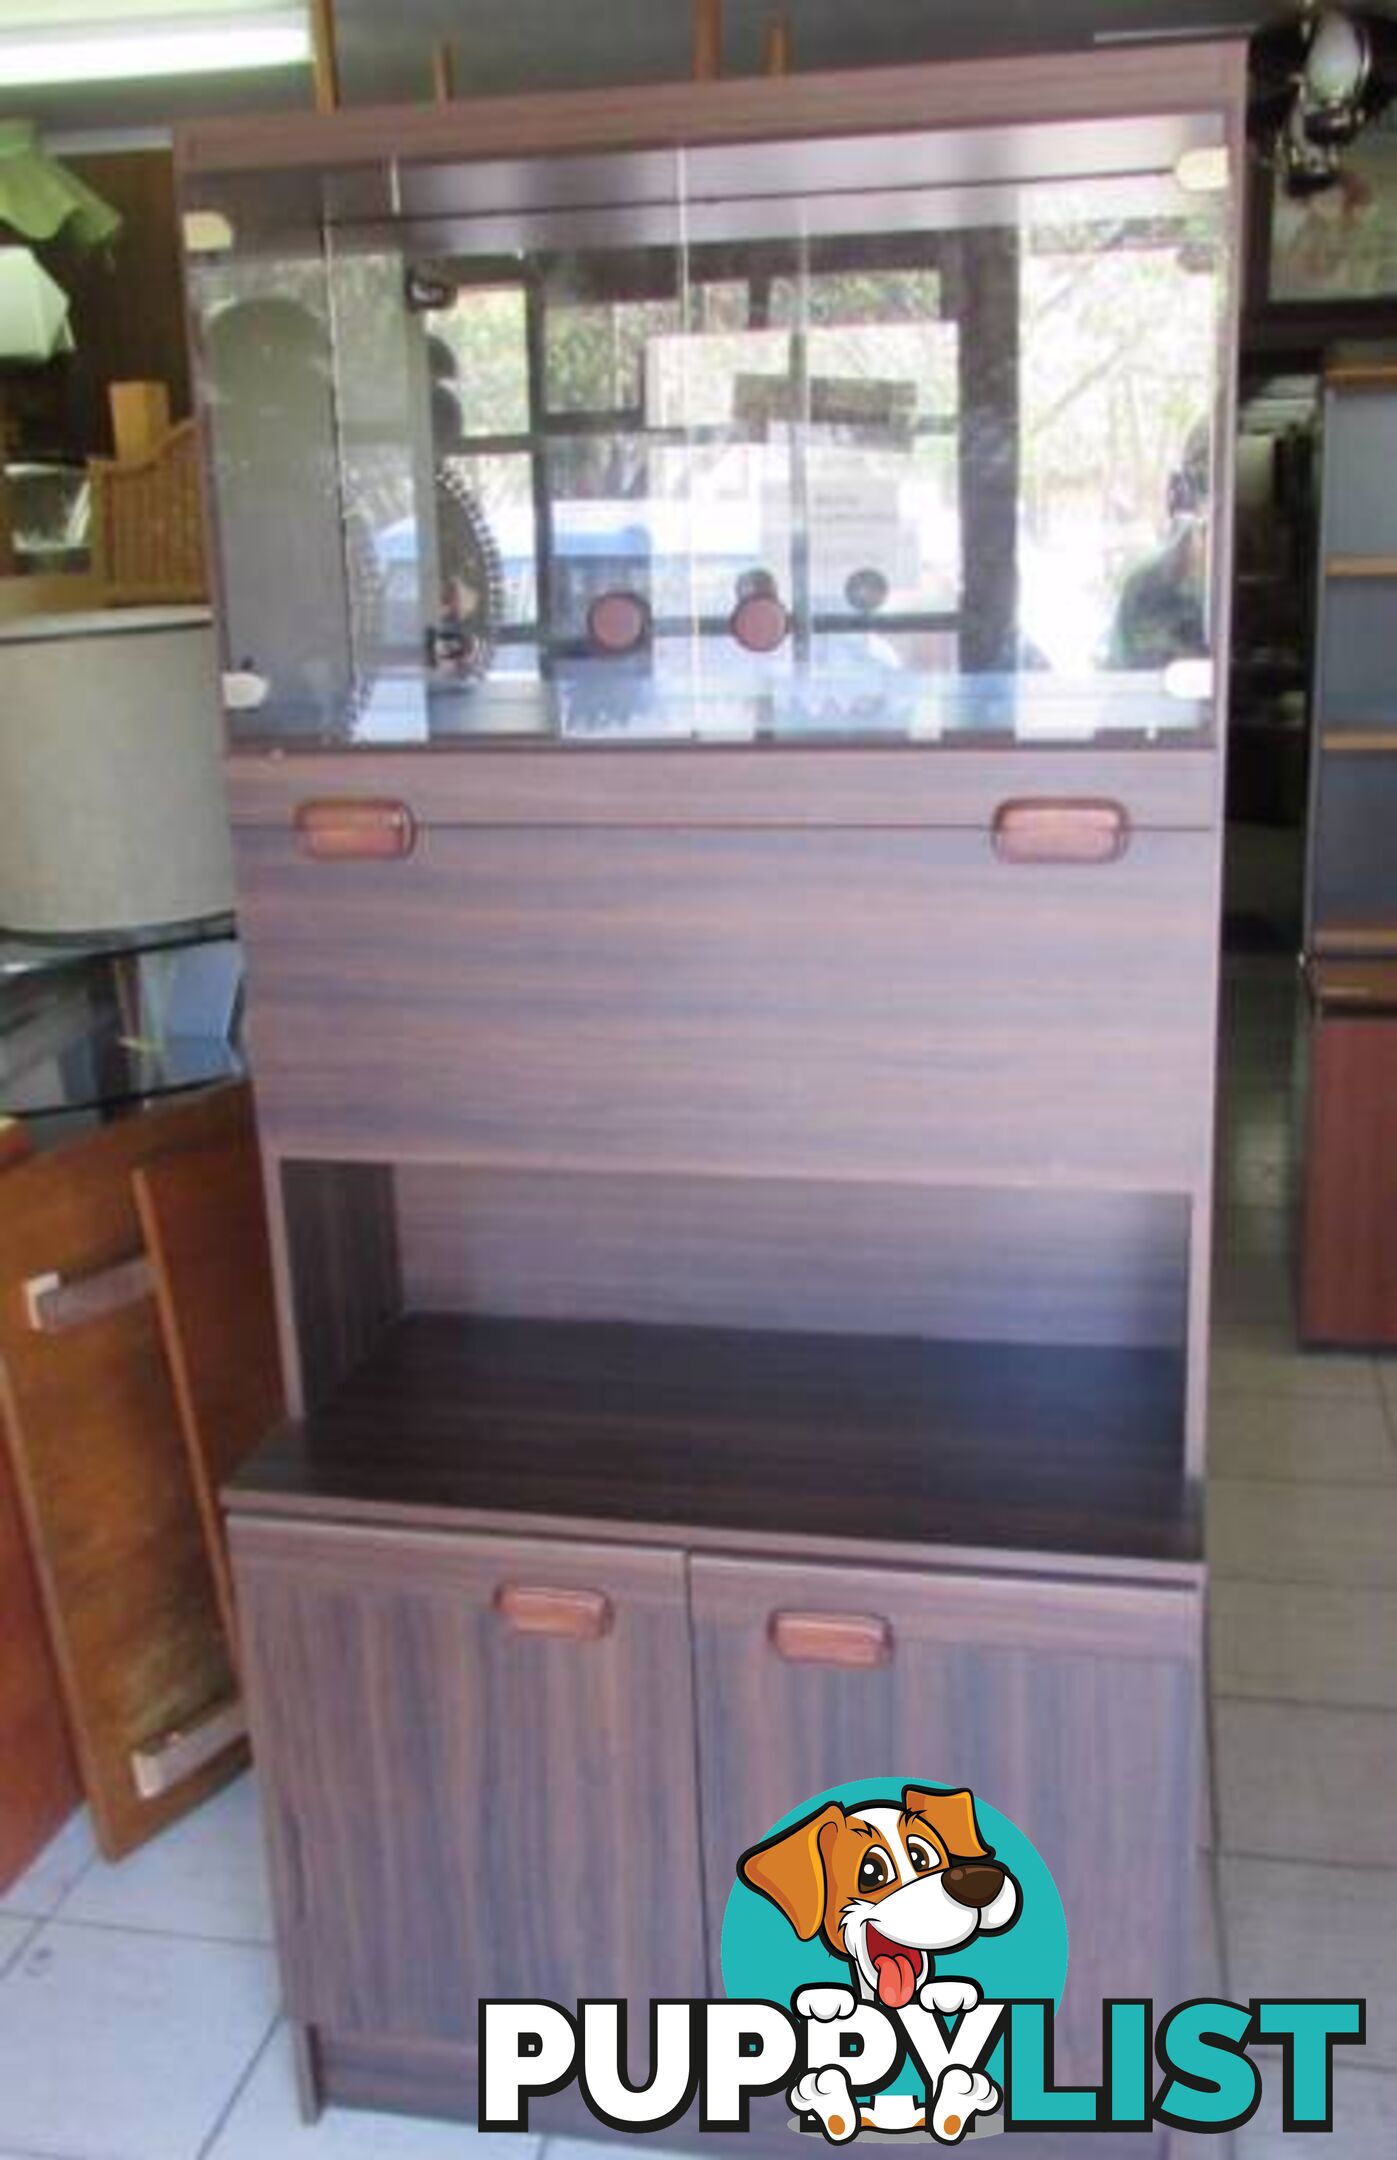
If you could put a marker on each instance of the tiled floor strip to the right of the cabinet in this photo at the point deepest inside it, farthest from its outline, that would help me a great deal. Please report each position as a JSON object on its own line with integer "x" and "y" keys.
{"x": 1303, "y": 1548}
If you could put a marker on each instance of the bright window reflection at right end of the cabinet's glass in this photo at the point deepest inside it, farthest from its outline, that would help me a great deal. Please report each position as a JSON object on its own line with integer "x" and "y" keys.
{"x": 1117, "y": 379}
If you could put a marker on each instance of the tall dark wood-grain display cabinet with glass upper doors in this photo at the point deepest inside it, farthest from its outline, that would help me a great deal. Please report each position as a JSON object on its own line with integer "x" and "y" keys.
{"x": 724, "y": 599}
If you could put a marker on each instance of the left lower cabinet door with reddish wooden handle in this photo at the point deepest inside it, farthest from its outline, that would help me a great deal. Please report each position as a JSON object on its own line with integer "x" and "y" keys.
{"x": 478, "y": 1772}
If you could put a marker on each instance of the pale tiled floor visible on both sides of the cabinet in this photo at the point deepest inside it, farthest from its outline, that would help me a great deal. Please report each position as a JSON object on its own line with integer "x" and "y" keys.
{"x": 139, "y": 2003}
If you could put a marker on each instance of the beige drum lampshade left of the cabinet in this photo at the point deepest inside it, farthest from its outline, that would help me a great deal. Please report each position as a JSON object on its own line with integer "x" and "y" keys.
{"x": 111, "y": 796}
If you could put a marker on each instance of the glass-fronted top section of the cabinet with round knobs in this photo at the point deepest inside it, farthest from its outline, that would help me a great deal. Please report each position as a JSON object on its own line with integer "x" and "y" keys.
{"x": 904, "y": 437}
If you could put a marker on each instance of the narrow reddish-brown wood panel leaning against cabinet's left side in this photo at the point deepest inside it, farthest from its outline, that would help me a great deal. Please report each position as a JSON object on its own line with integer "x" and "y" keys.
{"x": 206, "y": 1230}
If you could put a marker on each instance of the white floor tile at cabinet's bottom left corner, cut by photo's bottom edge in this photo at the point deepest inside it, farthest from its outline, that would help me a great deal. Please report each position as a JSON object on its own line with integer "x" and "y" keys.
{"x": 265, "y": 2124}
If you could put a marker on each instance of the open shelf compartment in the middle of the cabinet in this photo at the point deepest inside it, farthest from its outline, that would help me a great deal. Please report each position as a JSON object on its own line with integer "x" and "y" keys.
{"x": 776, "y": 1360}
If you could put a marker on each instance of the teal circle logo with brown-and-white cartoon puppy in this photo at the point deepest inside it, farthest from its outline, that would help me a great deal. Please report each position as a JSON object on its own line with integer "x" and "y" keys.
{"x": 765, "y": 1954}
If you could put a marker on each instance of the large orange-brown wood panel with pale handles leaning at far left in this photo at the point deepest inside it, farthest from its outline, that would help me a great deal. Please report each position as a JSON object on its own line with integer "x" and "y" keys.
{"x": 100, "y": 1466}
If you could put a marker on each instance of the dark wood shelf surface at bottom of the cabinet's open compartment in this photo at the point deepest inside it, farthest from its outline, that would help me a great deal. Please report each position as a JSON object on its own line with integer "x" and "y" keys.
{"x": 709, "y": 1431}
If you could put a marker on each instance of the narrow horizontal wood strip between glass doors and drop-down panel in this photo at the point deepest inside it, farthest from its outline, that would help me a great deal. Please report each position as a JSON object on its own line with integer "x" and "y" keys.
{"x": 750, "y": 787}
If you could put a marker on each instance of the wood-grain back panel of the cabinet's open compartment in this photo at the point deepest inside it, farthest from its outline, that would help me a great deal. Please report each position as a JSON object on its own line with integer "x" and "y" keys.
{"x": 783, "y": 1254}
